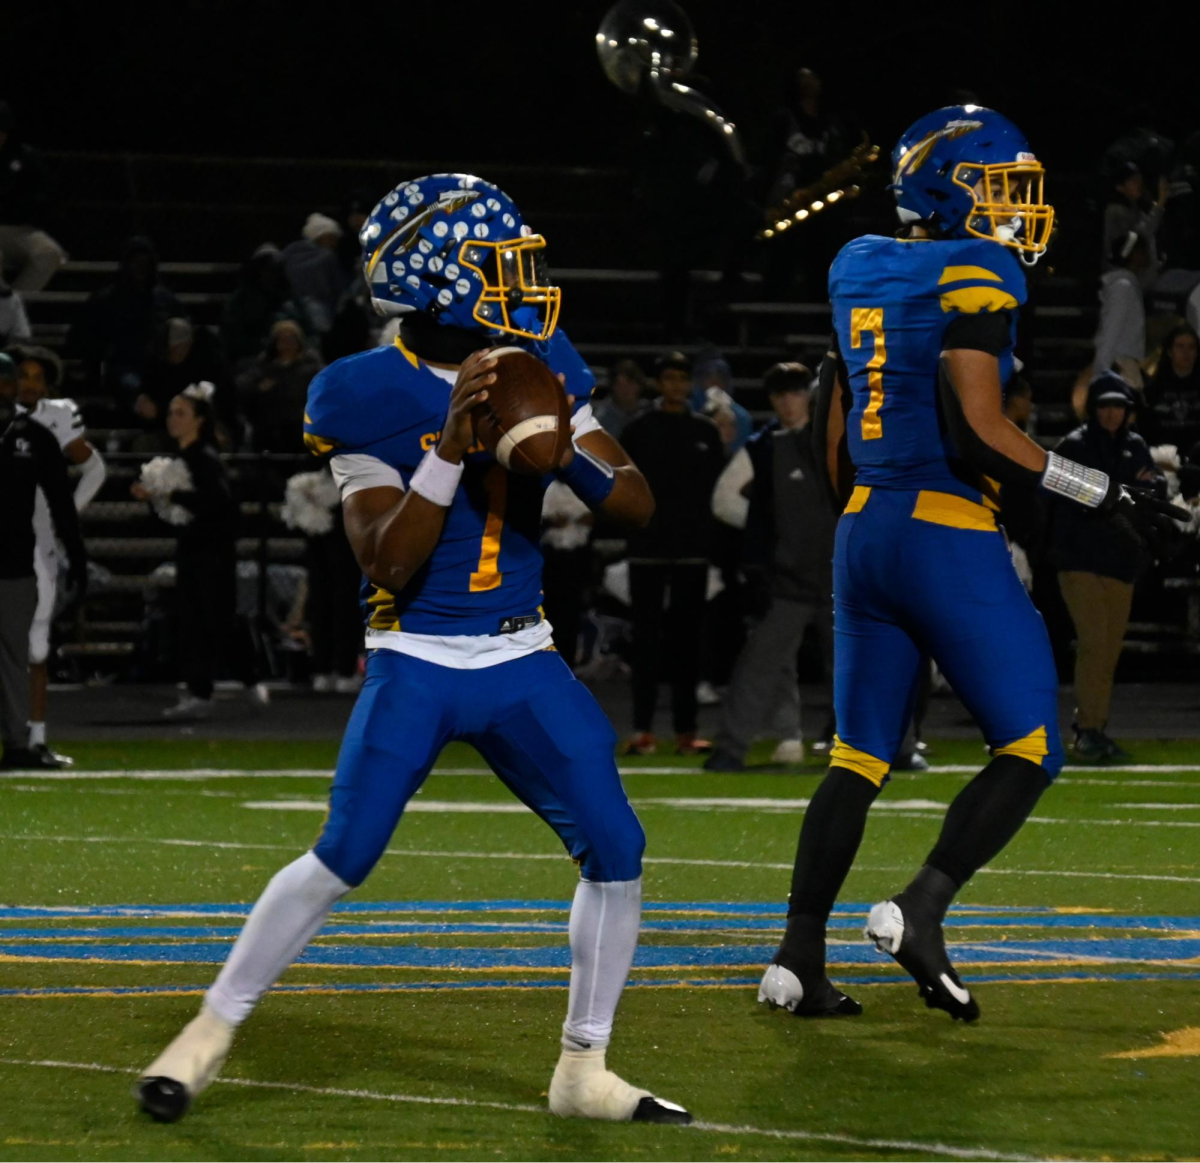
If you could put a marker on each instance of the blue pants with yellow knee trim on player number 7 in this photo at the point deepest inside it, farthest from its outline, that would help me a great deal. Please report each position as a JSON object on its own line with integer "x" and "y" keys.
{"x": 907, "y": 588}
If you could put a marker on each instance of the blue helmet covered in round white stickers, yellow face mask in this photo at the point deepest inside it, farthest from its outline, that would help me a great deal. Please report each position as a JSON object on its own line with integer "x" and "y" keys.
{"x": 455, "y": 248}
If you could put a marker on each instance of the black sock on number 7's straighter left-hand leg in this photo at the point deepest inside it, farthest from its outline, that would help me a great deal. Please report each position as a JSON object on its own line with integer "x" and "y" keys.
{"x": 830, "y": 840}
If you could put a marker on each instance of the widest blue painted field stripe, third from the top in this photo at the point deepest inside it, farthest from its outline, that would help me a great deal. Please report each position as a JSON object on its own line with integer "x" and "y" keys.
{"x": 649, "y": 957}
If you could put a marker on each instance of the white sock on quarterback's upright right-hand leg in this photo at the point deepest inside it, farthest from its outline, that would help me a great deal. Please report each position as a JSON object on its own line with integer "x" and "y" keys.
{"x": 604, "y": 936}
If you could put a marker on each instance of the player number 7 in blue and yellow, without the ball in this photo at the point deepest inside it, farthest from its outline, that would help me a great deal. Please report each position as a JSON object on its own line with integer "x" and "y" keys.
{"x": 913, "y": 431}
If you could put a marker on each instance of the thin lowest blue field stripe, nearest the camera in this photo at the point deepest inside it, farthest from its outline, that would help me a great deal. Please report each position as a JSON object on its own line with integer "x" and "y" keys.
{"x": 551, "y": 984}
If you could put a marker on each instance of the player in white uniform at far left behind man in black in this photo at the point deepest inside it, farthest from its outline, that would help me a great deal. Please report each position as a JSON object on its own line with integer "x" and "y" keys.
{"x": 39, "y": 373}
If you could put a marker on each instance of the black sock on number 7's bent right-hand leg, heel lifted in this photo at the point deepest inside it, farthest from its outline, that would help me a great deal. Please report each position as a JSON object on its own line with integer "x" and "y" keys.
{"x": 986, "y": 816}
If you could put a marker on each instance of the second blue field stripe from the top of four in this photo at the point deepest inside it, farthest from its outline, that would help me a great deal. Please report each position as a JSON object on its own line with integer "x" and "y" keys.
{"x": 525, "y": 928}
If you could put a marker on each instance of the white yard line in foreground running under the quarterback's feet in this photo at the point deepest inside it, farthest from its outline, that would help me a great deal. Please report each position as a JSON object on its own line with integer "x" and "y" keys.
{"x": 940, "y": 1150}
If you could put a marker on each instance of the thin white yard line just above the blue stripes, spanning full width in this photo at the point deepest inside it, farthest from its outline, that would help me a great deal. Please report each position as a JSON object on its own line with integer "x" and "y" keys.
{"x": 442, "y": 854}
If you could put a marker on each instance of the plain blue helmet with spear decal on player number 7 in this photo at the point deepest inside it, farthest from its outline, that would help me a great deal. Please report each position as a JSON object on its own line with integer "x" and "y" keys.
{"x": 965, "y": 171}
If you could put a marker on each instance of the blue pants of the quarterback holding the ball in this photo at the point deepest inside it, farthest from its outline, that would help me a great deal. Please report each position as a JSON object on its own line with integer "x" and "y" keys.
{"x": 537, "y": 727}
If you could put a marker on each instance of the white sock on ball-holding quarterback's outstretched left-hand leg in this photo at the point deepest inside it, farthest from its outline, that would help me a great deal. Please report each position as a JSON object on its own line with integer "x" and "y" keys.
{"x": 285, "y": 920}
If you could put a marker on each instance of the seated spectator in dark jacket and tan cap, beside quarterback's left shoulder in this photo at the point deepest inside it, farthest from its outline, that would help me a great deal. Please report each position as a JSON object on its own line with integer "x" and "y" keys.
{"x": 274, "y": 389}
